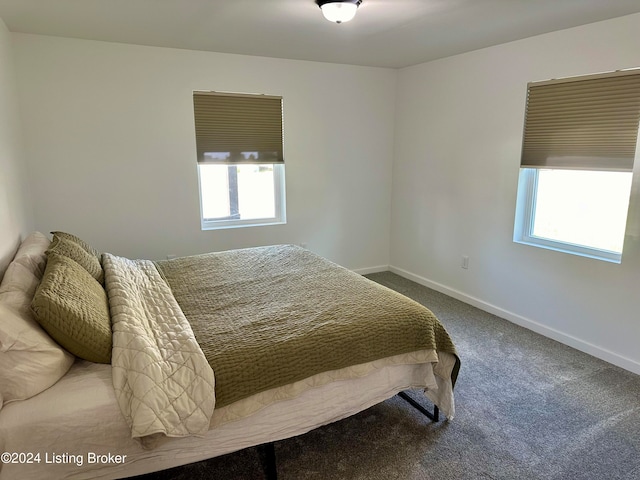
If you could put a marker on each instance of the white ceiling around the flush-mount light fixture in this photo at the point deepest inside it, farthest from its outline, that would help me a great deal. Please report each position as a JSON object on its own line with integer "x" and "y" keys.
{"x": 384, "y": 33}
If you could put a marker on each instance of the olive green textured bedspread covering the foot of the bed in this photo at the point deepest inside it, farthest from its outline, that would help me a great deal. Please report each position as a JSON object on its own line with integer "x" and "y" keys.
{"x": 269, "y": 316}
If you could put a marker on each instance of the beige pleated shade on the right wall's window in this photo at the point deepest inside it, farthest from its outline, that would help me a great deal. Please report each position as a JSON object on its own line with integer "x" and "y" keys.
{"x": 586, "y": 122}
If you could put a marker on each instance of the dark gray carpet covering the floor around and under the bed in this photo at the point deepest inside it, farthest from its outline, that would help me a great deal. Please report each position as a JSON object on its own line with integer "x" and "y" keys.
{"x": 527, "y": 408}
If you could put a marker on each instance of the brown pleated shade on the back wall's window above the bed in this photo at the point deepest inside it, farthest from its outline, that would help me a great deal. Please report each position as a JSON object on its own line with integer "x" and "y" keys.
{"x": 237, "y": 128}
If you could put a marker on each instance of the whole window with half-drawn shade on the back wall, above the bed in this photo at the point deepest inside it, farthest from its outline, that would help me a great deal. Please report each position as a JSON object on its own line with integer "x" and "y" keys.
{"x": 240, "y": 159}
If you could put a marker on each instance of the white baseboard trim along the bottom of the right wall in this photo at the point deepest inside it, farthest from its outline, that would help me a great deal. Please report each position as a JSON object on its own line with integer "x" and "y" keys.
{"x": 570, "y": 340}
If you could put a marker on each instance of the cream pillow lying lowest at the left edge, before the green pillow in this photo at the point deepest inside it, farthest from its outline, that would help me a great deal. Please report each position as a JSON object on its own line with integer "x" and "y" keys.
{"x": 30, "y": 361}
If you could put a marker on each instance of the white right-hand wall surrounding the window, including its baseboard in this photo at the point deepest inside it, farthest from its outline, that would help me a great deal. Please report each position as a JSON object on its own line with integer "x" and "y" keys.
{"x": 458, "y": 140}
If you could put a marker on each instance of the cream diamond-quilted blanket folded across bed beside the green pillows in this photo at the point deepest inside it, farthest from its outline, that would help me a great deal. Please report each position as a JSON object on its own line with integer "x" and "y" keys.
{"x": 162, "y": 380}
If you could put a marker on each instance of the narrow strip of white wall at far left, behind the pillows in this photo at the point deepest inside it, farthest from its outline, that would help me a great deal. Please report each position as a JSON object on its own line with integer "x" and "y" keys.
{"x": 15, "y": 220}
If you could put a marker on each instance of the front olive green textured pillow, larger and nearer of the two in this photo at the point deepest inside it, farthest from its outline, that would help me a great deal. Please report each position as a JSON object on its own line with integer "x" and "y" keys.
{"x": 73, "y": 308}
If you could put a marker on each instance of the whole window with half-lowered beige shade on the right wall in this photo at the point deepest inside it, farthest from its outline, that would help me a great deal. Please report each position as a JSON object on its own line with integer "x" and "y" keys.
{"x": 578, "y": 152}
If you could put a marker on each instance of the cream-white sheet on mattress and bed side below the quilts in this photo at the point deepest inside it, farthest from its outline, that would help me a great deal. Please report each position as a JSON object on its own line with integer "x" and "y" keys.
{"x": 79, "y": 415}
